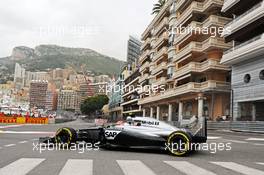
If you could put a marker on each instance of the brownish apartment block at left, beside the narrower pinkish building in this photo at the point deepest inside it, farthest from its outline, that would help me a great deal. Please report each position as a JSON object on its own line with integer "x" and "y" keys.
{"x": 38, "y": 94}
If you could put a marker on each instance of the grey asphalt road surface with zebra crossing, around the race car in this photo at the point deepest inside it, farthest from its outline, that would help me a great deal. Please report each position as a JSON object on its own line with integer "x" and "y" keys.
{"x": 19, "y": 155}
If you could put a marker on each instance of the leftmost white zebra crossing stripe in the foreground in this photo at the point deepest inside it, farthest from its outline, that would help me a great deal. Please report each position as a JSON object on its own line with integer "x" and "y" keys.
{"x": 21, "y": 167}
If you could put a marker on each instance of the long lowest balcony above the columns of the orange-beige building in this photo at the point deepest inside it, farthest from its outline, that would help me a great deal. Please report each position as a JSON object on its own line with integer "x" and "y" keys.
{"x": 191, "y": 87}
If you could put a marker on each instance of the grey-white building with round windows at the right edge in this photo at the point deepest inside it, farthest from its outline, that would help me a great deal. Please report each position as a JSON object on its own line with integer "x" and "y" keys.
{"x": 246, "y": 57}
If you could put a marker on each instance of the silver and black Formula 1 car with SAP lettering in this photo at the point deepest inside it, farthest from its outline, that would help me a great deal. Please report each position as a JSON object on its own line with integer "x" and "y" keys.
{"x": 138, "y": 132}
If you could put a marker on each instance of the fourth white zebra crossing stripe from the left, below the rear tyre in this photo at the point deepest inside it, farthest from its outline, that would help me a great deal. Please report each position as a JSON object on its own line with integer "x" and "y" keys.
{"x": 188, "y": 168}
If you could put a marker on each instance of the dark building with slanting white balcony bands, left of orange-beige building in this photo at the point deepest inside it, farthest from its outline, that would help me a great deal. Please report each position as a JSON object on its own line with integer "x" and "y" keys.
{"x": 130, "y": 92}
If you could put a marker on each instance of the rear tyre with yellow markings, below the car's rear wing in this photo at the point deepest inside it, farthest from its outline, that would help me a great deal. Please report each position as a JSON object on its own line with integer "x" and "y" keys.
{"x": 179, "y": 143}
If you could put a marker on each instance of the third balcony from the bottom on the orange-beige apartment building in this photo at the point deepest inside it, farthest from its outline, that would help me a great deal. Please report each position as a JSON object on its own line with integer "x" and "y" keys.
{"x": 210, "y": 43}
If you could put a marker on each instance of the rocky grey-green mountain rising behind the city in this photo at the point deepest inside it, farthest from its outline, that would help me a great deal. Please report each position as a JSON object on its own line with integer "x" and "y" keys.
{"x": 45, "y": 57}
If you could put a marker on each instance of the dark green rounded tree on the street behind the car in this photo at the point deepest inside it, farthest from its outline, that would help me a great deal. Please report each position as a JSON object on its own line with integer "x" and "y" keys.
{"x": 94, "y": 104}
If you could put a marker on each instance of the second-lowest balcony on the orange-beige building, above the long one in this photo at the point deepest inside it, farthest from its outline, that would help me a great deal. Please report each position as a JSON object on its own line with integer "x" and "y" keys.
{"x": 199, "y": 68}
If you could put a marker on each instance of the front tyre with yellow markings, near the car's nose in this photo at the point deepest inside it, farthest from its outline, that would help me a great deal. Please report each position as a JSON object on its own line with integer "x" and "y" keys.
{"x": 66, "y": 136}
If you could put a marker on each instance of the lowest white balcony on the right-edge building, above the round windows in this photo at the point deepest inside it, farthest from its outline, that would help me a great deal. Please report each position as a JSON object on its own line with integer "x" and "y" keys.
{"x": 244, "y": 51}
